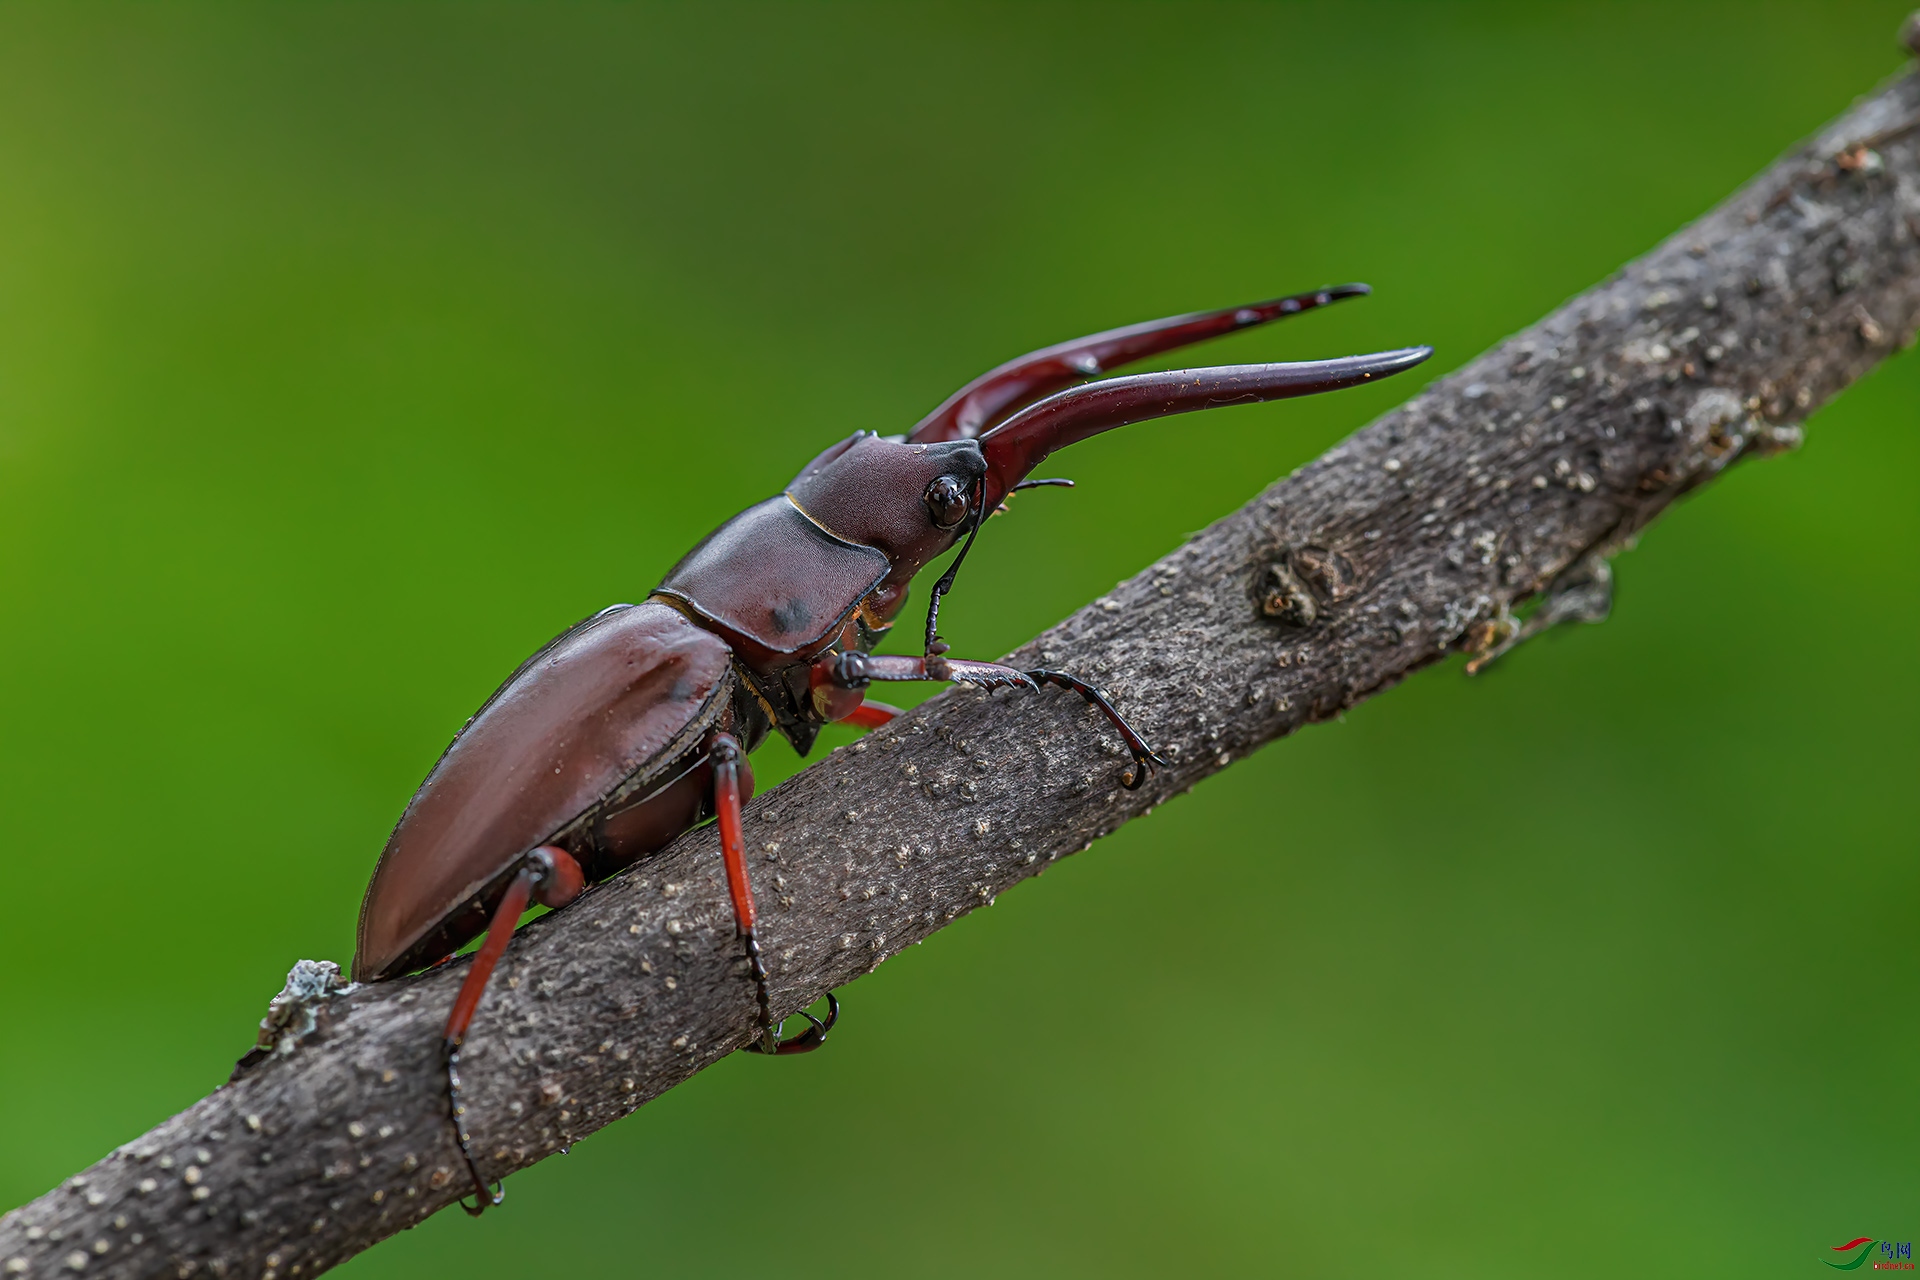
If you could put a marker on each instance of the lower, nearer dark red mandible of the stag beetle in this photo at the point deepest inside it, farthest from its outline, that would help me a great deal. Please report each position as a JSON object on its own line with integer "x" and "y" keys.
{"x": 1017, "y": 446}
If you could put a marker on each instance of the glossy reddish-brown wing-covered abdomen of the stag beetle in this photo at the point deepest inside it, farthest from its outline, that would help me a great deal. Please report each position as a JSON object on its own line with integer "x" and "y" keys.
{"x": 613, "y": 709}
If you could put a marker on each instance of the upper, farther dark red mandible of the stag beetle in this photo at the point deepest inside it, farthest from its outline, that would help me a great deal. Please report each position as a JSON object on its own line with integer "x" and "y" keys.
{"x": 994, "y": 396}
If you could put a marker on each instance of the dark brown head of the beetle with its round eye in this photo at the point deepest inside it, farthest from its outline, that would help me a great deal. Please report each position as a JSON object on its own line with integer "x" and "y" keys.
{"x": 911, "y": 502}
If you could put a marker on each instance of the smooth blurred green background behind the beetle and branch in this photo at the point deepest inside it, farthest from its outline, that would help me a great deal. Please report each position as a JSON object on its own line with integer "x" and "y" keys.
{"x": 348, "y": 352}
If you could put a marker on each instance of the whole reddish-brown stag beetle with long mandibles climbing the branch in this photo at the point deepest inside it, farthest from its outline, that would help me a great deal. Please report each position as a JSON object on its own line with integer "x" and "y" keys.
{"x": 635, "y": 724}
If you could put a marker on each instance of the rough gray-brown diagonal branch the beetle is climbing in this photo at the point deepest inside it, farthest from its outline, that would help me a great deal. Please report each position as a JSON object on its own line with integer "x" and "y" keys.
{"x": 1508, "y": 481}
